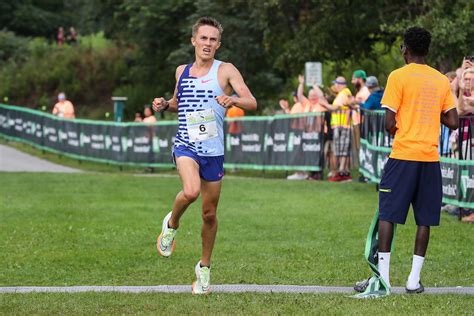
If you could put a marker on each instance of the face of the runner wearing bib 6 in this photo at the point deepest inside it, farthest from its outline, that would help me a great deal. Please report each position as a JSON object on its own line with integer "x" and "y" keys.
{"x": 206, "y": 42}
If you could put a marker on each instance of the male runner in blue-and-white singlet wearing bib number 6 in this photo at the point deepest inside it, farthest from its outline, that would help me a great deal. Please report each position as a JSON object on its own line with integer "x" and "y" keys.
{"x": 202, "y": 95}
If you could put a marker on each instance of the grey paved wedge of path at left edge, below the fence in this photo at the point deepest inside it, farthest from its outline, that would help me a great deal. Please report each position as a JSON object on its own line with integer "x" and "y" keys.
{"x": 12, "y": 160}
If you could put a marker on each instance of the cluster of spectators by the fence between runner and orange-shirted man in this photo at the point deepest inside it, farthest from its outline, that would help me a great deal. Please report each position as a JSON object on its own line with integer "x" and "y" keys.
{"x": 342, "y": 119}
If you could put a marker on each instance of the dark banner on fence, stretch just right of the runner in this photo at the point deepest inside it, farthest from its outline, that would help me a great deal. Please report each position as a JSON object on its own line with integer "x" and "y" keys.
{"x": 280, "y": 142}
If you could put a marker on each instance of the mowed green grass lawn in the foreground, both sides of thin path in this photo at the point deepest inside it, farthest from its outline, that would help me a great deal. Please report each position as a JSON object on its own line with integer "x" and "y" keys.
{"x": 100, "y": 229}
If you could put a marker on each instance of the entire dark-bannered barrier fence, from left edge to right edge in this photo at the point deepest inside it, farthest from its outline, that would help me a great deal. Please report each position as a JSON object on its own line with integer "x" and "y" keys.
{"x": 281, "y": 142}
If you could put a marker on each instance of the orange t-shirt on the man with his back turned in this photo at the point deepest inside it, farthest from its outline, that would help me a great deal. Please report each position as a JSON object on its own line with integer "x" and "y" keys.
{"x": 418, "y": 94}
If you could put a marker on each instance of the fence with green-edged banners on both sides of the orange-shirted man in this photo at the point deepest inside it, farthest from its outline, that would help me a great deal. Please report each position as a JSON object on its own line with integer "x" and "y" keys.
{"x": 455, "y": 148}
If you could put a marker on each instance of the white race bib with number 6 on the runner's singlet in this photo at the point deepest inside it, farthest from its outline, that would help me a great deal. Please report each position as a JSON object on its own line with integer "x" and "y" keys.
{"x": 201, "y": 125}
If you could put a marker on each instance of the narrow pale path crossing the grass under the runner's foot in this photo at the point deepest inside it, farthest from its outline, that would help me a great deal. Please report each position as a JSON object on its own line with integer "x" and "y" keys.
{"x": 225, "y": 288}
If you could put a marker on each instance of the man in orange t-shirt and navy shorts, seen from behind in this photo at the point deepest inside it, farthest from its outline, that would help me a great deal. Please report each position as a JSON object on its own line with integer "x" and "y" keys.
{"x": 415, "y": 99}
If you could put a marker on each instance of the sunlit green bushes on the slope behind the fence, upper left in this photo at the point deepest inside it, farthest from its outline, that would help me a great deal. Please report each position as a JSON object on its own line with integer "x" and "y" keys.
{"x": 88, "y": 72}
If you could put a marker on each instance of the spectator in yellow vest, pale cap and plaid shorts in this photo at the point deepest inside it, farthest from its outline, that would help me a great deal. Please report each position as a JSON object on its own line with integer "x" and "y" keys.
{"x": 341, "y": 125}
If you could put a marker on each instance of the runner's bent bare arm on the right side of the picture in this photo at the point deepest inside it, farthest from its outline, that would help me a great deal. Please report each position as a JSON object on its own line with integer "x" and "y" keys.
{"x": 244, "y": 98}
